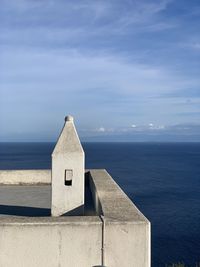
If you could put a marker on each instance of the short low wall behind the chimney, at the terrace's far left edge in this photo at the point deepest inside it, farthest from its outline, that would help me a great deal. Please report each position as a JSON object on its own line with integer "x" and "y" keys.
{"x": 23, "y": 177}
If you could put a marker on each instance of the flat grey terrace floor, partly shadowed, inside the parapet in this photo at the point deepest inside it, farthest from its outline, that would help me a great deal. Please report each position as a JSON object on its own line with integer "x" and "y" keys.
{"x": 33, "y": 201}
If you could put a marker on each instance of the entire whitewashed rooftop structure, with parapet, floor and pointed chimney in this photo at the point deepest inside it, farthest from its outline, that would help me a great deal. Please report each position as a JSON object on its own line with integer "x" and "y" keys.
{"x": 111, "y": 232}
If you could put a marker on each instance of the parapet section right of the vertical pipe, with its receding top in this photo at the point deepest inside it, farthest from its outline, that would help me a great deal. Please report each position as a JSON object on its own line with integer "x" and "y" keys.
{"x": 126, "y": 231}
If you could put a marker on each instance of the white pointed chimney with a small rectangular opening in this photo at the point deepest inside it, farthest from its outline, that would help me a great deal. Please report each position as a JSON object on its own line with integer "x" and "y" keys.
{"x": 68, "y": 167}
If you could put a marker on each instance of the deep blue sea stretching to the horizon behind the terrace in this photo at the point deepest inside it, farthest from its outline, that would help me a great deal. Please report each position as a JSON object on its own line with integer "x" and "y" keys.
{"x": 162, "y": 179}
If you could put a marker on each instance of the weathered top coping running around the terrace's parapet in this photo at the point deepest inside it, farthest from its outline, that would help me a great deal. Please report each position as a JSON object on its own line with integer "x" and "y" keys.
{"x": 115, "y": 204}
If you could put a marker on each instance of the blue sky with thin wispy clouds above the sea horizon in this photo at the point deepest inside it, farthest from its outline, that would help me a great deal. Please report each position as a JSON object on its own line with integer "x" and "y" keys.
{"x": 126, "y": 70}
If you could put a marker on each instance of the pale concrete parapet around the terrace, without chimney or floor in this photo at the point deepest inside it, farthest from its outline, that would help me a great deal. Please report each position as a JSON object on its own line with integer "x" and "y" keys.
{"x": 119, "y": 235}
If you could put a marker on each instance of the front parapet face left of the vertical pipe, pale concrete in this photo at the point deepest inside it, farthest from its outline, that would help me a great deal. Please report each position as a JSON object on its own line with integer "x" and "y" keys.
{"x": 72, "y": 242}
